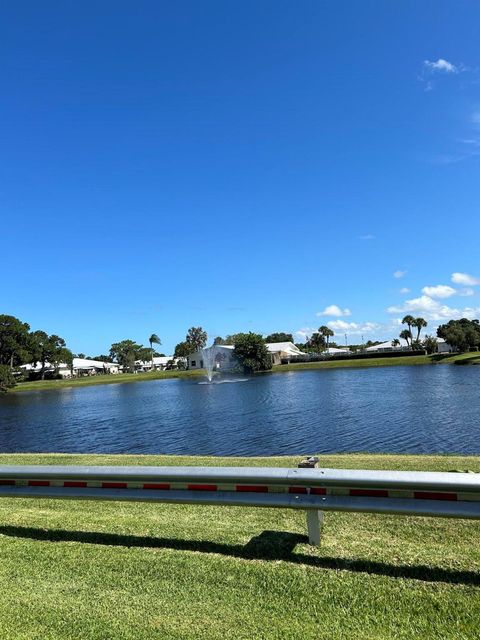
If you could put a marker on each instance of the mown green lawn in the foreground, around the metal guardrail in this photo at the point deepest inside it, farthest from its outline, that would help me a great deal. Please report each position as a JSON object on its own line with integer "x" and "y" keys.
{"x": 93, "y": 570}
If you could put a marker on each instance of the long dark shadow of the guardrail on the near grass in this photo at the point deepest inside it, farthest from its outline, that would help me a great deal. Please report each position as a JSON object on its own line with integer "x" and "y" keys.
{"x": 269, "y": 545}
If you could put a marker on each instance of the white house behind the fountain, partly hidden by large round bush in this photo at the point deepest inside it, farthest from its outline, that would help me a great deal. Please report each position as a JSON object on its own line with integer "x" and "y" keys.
{"x": 221, "y": 357}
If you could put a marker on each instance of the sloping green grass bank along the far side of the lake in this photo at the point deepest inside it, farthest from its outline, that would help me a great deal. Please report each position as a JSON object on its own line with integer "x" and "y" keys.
{"x": 126, "y": 378}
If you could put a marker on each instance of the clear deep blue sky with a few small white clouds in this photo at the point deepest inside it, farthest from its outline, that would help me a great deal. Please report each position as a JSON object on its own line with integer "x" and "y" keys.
{"x": 239, "y": 166}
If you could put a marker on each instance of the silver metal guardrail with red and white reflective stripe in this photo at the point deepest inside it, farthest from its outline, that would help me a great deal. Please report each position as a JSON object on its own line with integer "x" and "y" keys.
{"x": 439, "y": 494}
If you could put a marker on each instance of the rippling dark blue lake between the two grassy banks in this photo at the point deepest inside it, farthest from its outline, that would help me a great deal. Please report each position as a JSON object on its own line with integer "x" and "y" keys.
{"x": 402, "y": 409}
